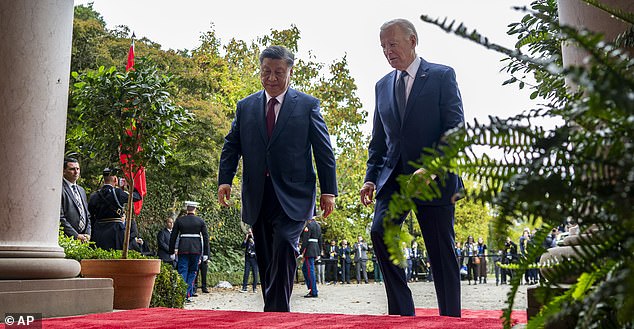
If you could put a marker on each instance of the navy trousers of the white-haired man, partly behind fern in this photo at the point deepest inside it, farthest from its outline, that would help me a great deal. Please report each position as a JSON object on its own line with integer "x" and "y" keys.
{"x": 436, "y": 223}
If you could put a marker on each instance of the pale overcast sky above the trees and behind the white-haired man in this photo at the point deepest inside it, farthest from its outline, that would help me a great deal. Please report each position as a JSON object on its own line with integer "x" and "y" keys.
{"x": 331, "y": 29}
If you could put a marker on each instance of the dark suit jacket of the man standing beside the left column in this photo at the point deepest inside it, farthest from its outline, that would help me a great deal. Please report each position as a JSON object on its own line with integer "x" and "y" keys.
{"x": 69, "y": 211}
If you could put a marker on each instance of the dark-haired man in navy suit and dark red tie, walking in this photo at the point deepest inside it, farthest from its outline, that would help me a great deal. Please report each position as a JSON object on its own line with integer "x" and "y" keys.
{"x": 277, "y": 132}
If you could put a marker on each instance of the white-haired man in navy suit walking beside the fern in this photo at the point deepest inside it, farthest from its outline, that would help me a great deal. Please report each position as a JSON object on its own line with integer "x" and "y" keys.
{"x": 415, "y": 105}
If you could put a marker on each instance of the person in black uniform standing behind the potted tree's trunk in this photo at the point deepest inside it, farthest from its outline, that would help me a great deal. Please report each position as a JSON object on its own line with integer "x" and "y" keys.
{"x": 107, "y": 206}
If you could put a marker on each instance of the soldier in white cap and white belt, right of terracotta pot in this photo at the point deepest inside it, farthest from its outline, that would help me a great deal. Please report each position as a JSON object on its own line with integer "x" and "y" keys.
{"x": 188, "y": 230}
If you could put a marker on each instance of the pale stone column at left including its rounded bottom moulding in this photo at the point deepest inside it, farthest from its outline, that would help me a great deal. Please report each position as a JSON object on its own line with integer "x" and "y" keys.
{"x": 35, "y": 50}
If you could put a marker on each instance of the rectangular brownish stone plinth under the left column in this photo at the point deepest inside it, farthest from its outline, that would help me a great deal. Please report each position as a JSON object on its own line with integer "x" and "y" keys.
{"x": 57, "y": 297}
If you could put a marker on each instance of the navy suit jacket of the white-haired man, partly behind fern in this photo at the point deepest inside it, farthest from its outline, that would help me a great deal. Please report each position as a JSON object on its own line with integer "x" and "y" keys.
{"x": 434, "y": 106}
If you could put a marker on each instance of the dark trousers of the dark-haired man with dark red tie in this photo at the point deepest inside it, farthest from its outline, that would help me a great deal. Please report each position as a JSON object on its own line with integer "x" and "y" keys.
{"x": 276, "y": 238}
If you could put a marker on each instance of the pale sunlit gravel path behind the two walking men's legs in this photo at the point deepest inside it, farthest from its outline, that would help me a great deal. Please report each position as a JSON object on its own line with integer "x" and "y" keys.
{"x": 357, "y": 298}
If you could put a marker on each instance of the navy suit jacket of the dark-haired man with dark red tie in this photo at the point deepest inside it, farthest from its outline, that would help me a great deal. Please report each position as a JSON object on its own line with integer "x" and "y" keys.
{"x": 300, "y": 132}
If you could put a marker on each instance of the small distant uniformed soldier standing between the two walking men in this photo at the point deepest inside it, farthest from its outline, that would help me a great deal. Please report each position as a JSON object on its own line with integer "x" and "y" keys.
{"x": 311, "y": 249}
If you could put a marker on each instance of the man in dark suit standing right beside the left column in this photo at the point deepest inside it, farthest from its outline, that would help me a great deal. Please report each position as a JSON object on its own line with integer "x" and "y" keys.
{"x": 74, "y": 215}
